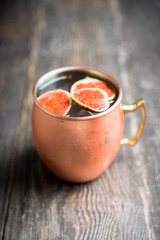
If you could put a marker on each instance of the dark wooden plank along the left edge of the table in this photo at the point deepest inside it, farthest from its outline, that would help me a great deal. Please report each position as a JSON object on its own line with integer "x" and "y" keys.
{"x": 14, "y": 47}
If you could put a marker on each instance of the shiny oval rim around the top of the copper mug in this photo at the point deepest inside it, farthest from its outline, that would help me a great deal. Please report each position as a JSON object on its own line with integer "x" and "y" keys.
{"x": 85, "y": 69}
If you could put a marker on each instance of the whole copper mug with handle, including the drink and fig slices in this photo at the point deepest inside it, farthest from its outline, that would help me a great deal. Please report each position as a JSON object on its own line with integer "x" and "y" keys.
{"x": 78, "y": 121}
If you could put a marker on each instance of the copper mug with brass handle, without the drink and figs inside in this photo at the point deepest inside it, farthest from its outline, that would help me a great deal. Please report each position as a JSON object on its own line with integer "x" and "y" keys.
{"x": 80, "y": 149}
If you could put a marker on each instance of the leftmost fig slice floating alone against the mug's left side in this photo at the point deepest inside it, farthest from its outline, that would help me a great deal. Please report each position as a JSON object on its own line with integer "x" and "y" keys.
{"x": 56, "y": 101}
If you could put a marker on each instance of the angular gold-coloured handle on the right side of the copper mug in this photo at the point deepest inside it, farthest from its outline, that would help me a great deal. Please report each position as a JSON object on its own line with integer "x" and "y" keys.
{"x": 140, "y": 104}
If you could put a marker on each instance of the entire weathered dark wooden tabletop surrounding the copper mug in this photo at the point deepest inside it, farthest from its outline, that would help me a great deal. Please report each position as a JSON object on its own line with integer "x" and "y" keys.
{"x": 120, "y": 37}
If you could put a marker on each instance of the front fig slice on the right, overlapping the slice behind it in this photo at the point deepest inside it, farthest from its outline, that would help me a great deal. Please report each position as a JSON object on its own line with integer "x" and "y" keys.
{"x": 94, "y": 99}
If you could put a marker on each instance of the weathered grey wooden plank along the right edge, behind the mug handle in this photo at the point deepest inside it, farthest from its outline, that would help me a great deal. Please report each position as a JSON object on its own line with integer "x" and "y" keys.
{"x": 141, "y": 38}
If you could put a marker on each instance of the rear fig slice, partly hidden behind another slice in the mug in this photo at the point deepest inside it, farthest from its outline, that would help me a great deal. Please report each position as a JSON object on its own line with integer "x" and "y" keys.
{"x": 89, "y": 82}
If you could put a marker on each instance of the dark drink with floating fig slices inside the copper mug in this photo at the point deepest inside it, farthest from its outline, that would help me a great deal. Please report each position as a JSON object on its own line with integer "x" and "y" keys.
{"x": 73, "y": 97}
